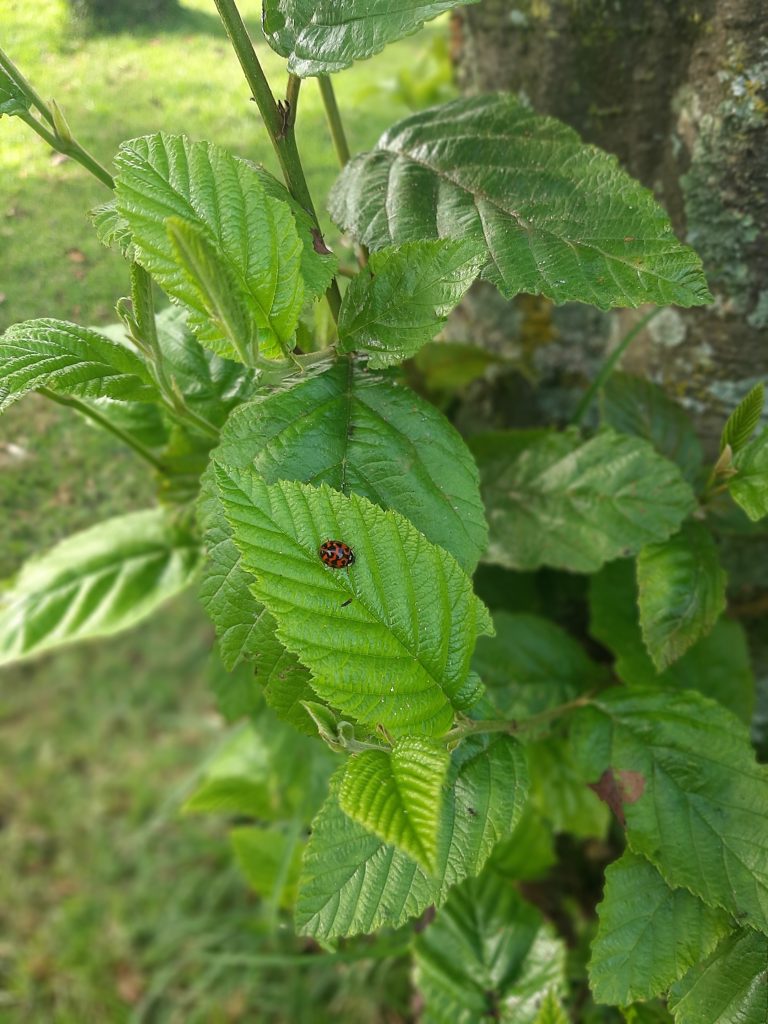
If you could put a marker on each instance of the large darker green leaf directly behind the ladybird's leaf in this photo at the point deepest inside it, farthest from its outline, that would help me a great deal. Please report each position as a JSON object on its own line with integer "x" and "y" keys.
{"x": 356, "y": 432}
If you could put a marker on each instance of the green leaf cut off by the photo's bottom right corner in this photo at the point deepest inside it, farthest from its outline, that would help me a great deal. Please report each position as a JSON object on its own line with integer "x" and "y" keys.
{"x": 730, "y": 988}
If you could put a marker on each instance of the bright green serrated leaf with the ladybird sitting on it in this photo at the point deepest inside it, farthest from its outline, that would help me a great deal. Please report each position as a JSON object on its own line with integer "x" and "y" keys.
{"x": 388, "y": 641}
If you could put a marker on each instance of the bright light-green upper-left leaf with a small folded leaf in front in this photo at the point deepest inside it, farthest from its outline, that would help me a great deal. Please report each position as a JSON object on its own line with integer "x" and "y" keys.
{"x": 252, "y": 235}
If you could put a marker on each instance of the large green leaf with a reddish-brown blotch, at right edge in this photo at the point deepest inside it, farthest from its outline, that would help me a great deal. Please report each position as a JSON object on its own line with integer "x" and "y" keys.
{"x": 681, "y": 771}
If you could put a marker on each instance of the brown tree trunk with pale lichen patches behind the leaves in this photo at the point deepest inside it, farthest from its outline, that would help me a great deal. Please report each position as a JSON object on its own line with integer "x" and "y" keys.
{"x": 678, "y": 91}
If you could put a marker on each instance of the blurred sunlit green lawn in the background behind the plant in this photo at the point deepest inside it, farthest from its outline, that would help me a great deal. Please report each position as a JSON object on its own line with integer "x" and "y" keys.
{"x": 114, "y": 908}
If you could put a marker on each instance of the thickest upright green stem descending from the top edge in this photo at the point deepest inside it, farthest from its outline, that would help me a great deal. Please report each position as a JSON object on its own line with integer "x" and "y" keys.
{"x": 280, "y": 124}
